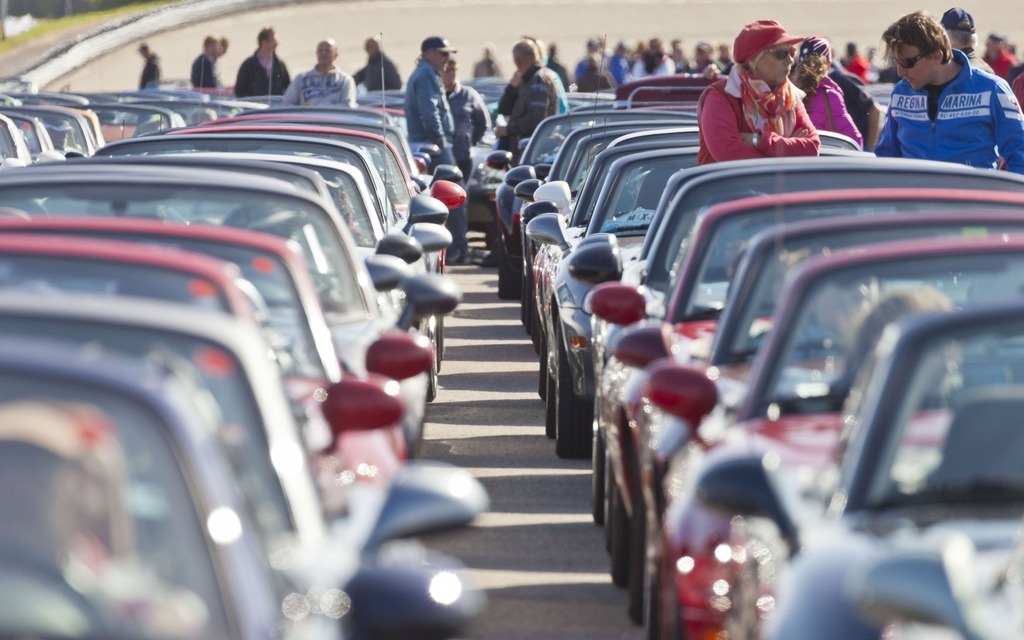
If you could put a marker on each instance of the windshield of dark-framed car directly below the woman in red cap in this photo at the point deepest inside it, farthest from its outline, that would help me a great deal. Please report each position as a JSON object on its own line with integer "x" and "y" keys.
{"x": 693, "y": 199}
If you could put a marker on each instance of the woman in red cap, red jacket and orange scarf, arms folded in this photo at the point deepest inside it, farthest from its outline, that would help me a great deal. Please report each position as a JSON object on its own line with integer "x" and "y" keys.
{"x": 756, "y": 112}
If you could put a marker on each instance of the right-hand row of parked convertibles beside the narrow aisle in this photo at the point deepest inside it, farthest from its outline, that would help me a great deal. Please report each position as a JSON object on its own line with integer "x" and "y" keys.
{"x": 798, "y": 380}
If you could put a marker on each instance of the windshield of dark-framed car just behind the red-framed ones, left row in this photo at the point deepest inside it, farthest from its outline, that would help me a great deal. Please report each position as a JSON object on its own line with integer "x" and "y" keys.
{"x": 286, "y": 218}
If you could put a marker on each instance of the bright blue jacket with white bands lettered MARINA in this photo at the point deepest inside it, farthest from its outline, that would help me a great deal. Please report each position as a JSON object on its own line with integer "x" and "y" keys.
{"x": 978, "y": 122}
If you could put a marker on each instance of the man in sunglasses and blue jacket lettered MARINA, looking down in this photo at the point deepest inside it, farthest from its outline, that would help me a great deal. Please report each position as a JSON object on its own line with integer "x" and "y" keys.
{"x": 943, "y": 109}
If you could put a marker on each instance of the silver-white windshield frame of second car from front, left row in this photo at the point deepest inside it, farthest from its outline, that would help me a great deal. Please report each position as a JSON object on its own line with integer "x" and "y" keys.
{"x": 239, "y": 338}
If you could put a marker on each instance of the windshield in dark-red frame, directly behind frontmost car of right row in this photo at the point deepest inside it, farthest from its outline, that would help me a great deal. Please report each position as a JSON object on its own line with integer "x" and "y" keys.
{"x": 838, "y": 319}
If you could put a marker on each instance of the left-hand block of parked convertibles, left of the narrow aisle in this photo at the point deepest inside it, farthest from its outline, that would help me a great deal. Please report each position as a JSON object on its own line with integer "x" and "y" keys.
{"x": 218, "y": 344}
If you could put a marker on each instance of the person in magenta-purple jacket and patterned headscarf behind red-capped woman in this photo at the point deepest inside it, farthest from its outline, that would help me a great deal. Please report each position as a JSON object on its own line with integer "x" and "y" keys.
{"x": 824, "y": 99}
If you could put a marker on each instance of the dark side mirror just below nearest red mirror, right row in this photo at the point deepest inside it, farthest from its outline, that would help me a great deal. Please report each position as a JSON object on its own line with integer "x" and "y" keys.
{"x": 740, "y": 486}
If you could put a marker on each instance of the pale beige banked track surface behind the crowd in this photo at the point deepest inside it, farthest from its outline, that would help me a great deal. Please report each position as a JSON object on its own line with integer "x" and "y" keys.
{"x": 471, "y": 24}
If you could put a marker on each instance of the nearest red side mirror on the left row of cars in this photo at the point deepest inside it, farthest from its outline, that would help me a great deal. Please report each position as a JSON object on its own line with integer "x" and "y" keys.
{"x": 362, "y": 404}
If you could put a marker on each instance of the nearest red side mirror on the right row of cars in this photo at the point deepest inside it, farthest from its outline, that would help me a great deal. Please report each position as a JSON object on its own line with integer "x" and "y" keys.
{"x": 684, "y": 392}
